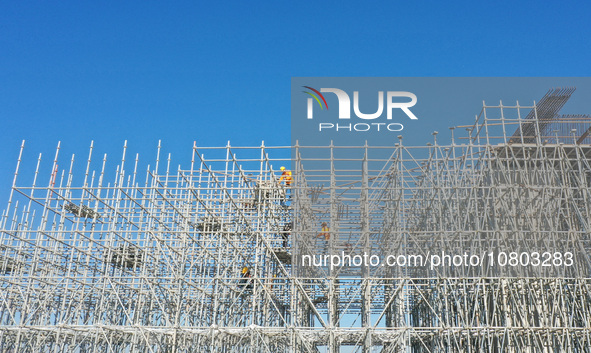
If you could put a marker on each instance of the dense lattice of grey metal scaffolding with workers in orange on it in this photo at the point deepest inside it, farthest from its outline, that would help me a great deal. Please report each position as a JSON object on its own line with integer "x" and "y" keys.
{"x": 207, "y": 256}
